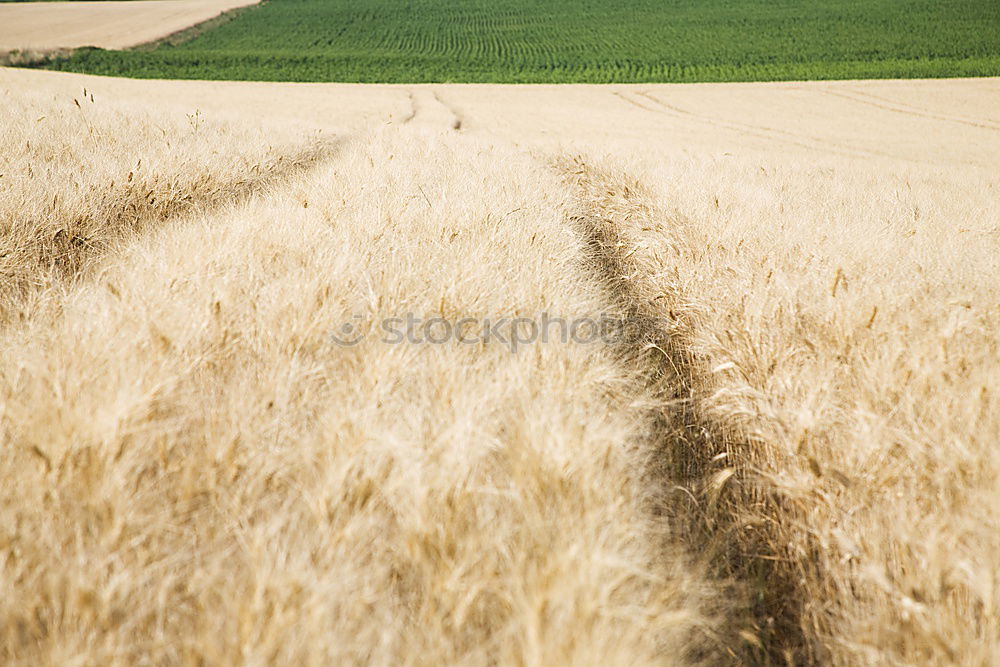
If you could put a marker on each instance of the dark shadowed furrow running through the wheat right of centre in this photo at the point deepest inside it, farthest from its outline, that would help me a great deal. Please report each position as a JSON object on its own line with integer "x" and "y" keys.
{"x": 703, "y": 470}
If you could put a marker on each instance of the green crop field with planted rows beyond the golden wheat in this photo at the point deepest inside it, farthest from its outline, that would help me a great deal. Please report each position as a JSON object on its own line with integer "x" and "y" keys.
{"x": 594, "y": 41}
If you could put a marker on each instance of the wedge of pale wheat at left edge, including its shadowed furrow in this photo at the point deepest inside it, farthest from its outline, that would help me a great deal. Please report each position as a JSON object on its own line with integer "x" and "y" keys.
{"x": 60, "y": 213}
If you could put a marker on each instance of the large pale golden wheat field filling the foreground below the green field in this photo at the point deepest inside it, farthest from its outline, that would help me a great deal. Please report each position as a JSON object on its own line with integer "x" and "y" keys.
{"x": 763, "y": 429}
